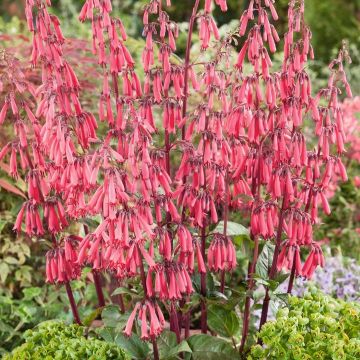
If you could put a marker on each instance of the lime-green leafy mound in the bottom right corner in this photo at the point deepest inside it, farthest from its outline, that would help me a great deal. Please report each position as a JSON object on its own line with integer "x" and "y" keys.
{"x": 314, "y": 327}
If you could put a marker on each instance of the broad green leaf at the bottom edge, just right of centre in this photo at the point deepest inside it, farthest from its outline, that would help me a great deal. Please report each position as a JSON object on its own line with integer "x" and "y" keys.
{"x": 206, "y": 347}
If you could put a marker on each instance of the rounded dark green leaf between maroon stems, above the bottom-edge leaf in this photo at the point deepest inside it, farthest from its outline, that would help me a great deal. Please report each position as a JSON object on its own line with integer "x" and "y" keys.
{"x": 224, "y": 322}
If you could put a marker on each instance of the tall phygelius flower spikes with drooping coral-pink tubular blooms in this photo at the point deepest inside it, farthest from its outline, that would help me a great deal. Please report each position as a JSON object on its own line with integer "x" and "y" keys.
{"x": 238, "y": 127}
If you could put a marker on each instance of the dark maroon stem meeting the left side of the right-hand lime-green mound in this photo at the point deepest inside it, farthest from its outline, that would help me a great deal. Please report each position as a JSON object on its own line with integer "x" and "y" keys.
{"x": 272, "y": 273}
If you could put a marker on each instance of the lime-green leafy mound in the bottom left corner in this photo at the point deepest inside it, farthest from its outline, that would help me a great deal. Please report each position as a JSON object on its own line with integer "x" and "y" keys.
{"x": 55, "y": 340}
